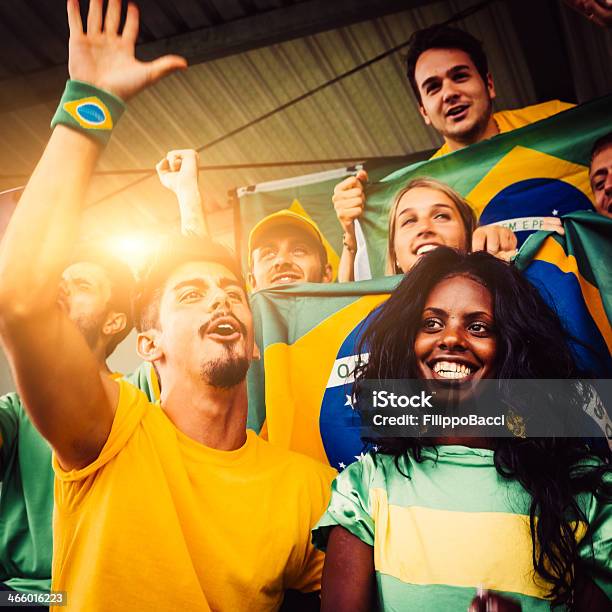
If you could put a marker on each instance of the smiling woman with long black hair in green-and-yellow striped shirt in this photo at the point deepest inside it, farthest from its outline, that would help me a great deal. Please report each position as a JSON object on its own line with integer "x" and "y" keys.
{"x": 421, "y": 523}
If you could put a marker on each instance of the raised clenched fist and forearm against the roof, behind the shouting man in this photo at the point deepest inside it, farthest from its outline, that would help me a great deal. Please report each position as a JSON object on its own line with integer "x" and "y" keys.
{"x": 178, "y": 172}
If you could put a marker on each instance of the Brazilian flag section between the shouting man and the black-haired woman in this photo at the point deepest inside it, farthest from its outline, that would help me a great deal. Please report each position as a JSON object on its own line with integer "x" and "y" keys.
{"x": 299, "y": 393}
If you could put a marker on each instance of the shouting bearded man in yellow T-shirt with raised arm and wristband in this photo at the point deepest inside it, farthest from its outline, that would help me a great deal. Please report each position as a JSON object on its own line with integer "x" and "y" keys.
{"x": 170, "y": 506}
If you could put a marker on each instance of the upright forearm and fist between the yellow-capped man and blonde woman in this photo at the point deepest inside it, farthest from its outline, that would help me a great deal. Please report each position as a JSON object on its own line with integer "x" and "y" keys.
{"x": 349, "y": 202}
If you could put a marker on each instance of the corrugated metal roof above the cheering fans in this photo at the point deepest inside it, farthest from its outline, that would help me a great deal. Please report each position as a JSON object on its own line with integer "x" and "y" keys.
{"x": 371, "y": 113}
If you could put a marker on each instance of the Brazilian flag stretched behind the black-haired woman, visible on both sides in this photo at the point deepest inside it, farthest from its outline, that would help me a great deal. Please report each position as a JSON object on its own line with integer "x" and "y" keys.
{"x": 300, "y": 392}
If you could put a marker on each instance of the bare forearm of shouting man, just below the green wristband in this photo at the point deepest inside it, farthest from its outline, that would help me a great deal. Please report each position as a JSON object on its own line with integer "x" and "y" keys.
{"x": 44, "y": 226}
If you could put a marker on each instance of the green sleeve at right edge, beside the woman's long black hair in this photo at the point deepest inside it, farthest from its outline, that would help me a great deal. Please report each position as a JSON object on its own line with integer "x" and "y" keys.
{"x": 595, "y": 549}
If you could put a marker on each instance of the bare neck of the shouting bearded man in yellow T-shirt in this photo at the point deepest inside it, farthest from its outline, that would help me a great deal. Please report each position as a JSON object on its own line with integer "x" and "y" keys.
{"x": 211, "y": 416}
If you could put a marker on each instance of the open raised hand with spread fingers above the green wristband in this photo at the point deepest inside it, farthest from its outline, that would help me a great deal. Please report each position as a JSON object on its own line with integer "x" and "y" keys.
{"x": 105, "y": 58}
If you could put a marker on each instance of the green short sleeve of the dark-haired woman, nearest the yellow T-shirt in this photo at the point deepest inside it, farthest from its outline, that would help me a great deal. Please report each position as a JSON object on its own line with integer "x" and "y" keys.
{"x": 349, "y": 505}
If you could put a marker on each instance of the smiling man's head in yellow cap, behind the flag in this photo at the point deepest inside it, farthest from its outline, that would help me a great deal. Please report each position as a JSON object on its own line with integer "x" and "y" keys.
{"x": 284, "y": 248}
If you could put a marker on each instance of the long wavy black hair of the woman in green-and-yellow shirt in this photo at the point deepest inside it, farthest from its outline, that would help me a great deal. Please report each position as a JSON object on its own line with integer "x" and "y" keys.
{"x": 531, "y": 344}
